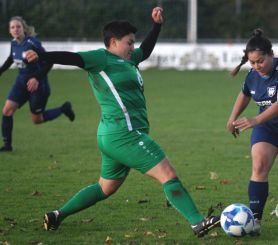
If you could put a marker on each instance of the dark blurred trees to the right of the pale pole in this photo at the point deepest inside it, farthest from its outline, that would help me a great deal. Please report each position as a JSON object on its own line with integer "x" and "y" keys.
{"x": 219, "y": 19}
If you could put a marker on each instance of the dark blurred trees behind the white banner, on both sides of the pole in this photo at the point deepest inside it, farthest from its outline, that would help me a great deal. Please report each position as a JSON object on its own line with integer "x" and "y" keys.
{"x": 84, "y": 19}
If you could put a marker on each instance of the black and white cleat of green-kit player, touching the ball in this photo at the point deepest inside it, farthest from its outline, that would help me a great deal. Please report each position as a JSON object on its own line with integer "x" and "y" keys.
{"x": 203, "y": 227}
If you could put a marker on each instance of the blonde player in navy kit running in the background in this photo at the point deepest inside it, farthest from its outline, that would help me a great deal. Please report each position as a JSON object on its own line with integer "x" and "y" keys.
{"x": 31, "y": 83}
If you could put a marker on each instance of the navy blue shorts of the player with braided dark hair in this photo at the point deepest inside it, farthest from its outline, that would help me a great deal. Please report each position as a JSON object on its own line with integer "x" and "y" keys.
{"x": 265, "y": 133}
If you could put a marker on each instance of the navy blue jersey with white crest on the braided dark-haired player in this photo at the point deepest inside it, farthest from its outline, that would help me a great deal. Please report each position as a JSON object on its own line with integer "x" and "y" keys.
{"x": 263, "y": 90}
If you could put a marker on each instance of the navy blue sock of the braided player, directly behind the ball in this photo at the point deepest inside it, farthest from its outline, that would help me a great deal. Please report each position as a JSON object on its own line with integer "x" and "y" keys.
{"x": 258, "y": 192}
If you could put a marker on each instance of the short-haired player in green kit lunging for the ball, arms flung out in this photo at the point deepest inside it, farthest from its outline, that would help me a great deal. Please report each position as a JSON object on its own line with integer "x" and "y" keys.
{"x": 122, "y": 136}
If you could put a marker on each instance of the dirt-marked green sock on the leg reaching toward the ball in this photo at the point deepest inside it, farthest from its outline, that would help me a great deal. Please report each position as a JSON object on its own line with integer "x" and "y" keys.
{"x": 180, "y": 199}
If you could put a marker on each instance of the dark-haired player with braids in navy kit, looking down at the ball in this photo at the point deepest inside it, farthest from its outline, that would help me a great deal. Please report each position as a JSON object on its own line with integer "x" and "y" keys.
{"x": 261, "y": 85}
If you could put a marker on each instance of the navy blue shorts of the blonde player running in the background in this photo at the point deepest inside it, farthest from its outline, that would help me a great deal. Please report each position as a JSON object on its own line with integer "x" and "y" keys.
{"x": 37, "y": 100}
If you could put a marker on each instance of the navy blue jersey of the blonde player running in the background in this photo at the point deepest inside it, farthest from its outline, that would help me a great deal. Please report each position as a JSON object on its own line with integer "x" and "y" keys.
{"x": 18, "y": 55}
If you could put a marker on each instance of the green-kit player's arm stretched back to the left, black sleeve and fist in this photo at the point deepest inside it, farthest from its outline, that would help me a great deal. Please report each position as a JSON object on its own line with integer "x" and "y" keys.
{"x": 56, "y": 57}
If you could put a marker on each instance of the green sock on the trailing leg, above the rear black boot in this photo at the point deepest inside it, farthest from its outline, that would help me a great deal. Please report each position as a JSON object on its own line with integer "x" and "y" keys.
{"x": 85, "y": 198}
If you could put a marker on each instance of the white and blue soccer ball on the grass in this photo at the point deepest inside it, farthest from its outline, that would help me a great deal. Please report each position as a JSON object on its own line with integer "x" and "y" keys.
{"x": 237, "y": 220}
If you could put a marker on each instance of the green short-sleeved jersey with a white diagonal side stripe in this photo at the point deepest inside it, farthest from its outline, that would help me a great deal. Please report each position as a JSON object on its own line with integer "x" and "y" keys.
{"x": 118, "y": 88}
